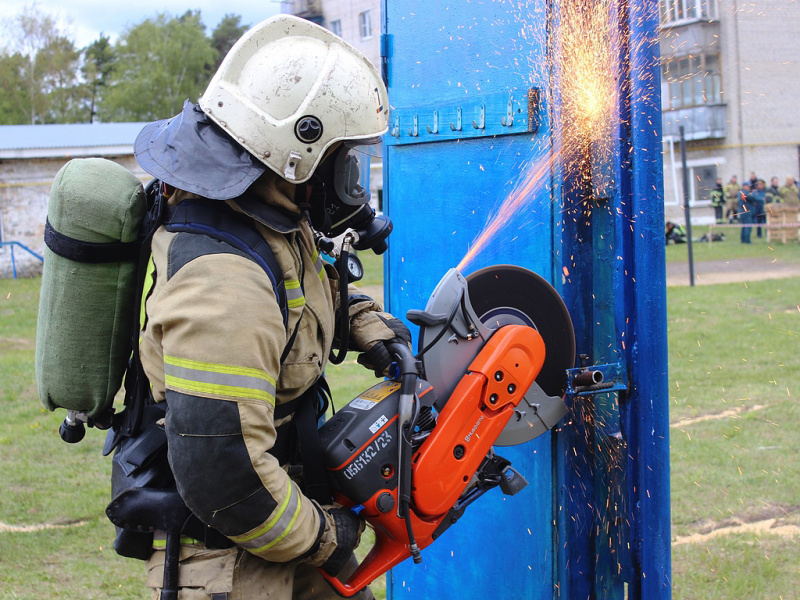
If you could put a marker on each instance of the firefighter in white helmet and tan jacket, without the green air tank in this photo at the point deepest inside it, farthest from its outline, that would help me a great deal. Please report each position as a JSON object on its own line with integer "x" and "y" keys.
{"x": 289, "y": 98}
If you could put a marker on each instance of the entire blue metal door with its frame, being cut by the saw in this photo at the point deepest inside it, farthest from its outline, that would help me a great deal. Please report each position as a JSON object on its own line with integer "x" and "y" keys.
{"x": 475, "y": 146}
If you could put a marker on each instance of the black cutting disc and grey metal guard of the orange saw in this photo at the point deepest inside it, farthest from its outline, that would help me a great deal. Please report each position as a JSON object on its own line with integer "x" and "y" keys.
{"x": 461, "y": 316}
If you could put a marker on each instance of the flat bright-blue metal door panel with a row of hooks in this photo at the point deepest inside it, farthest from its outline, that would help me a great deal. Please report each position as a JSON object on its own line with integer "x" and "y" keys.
{"x": 443, "y": 184}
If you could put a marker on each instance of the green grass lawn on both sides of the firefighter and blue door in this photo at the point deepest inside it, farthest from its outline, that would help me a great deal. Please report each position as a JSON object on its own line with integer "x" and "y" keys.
{"x": 734, "y": 364}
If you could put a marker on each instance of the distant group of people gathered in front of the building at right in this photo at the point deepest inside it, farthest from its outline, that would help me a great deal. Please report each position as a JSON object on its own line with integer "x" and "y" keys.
{"x": 746, "y": 203}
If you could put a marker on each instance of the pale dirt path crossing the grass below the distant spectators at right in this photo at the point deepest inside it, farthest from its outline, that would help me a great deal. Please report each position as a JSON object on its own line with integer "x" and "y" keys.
{"x": 731, "y": 271}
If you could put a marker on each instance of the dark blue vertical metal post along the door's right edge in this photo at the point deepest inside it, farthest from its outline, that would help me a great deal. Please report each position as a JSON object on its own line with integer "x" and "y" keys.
{"x": 647, "y": 409}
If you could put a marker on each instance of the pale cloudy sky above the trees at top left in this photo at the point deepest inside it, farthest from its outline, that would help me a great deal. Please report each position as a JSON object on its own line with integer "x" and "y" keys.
{"x": 85, "y": 20}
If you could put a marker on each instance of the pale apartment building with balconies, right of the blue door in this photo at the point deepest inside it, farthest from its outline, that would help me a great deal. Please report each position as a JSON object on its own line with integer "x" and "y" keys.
{"x": 729, "y": 75}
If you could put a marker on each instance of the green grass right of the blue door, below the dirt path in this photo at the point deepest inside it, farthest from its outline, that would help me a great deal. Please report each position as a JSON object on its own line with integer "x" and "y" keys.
{"x": 734, "y": 362}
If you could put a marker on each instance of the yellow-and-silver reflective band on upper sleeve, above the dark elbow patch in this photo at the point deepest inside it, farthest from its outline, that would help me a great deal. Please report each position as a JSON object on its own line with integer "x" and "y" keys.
{"x": 187, "y": 375}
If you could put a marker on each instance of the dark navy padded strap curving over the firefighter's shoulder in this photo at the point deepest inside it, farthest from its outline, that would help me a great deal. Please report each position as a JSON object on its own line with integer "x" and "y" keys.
{"x": 218, "y": 220}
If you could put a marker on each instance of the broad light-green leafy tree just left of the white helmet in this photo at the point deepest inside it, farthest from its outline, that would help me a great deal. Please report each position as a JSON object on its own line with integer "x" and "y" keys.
{"x": 159, "y": 63}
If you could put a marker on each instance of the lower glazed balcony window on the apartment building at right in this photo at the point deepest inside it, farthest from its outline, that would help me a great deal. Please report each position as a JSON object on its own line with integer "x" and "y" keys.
{"x": 690, "y": 81}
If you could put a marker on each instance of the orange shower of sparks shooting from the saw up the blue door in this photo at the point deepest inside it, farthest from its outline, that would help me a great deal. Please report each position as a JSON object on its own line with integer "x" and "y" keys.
{"x": 586, "y": 65}
